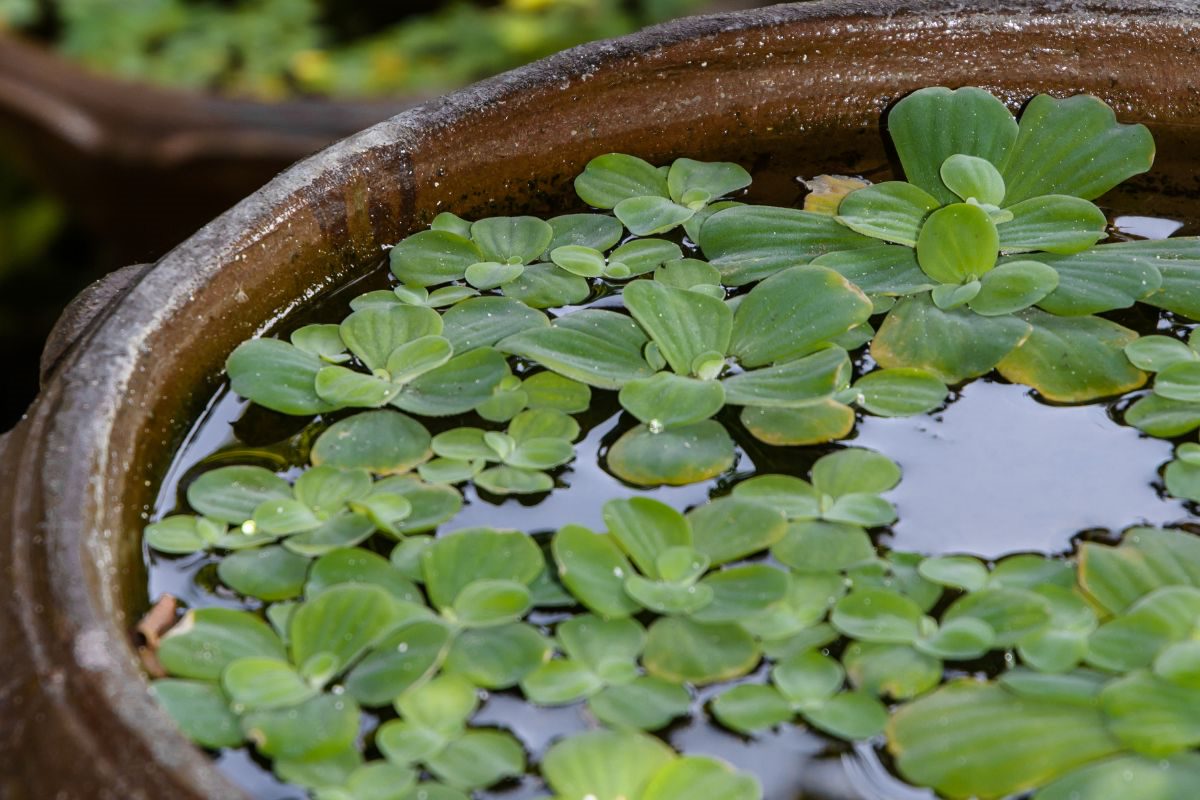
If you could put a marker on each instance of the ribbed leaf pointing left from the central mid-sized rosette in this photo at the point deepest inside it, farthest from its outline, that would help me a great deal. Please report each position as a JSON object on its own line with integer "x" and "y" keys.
{"x": 599, "y": 348}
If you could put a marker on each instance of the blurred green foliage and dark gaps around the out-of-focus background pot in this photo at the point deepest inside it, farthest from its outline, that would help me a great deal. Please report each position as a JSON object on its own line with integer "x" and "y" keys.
{"x": 265, "y": 51}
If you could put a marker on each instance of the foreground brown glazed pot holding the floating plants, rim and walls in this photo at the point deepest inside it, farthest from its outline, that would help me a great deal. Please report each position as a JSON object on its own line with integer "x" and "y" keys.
{"x": 77, "y": 476}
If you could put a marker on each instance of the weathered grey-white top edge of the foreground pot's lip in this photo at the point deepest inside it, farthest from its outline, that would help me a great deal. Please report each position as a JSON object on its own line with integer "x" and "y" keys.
{"x": 195, "y": 261}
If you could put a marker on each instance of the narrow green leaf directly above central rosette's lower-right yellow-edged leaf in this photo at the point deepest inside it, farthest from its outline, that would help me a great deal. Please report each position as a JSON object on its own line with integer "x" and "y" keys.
{"x": 794, "y": 384}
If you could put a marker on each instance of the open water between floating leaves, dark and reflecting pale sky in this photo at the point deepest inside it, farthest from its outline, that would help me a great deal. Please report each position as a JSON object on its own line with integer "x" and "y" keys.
{"x": 993, "y": 473}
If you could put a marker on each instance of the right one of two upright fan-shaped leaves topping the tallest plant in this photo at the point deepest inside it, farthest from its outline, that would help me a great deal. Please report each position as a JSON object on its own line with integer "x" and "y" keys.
{"x": 1073, "y": 147}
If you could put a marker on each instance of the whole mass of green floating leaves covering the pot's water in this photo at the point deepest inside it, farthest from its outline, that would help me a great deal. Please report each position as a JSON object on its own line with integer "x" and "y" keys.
{"x": 986, "y": 258}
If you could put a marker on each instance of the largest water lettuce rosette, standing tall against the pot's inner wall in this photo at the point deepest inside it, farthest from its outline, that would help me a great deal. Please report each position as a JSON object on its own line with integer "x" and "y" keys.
{"x": 987, "y": 251}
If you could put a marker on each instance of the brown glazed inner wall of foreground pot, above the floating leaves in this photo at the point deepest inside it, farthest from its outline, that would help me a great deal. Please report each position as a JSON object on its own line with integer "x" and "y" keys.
{"x": 799, "y": 99}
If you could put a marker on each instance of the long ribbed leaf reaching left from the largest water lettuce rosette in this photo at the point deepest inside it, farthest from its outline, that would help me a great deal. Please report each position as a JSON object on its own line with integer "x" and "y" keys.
{"x": 749, "y": 243}
